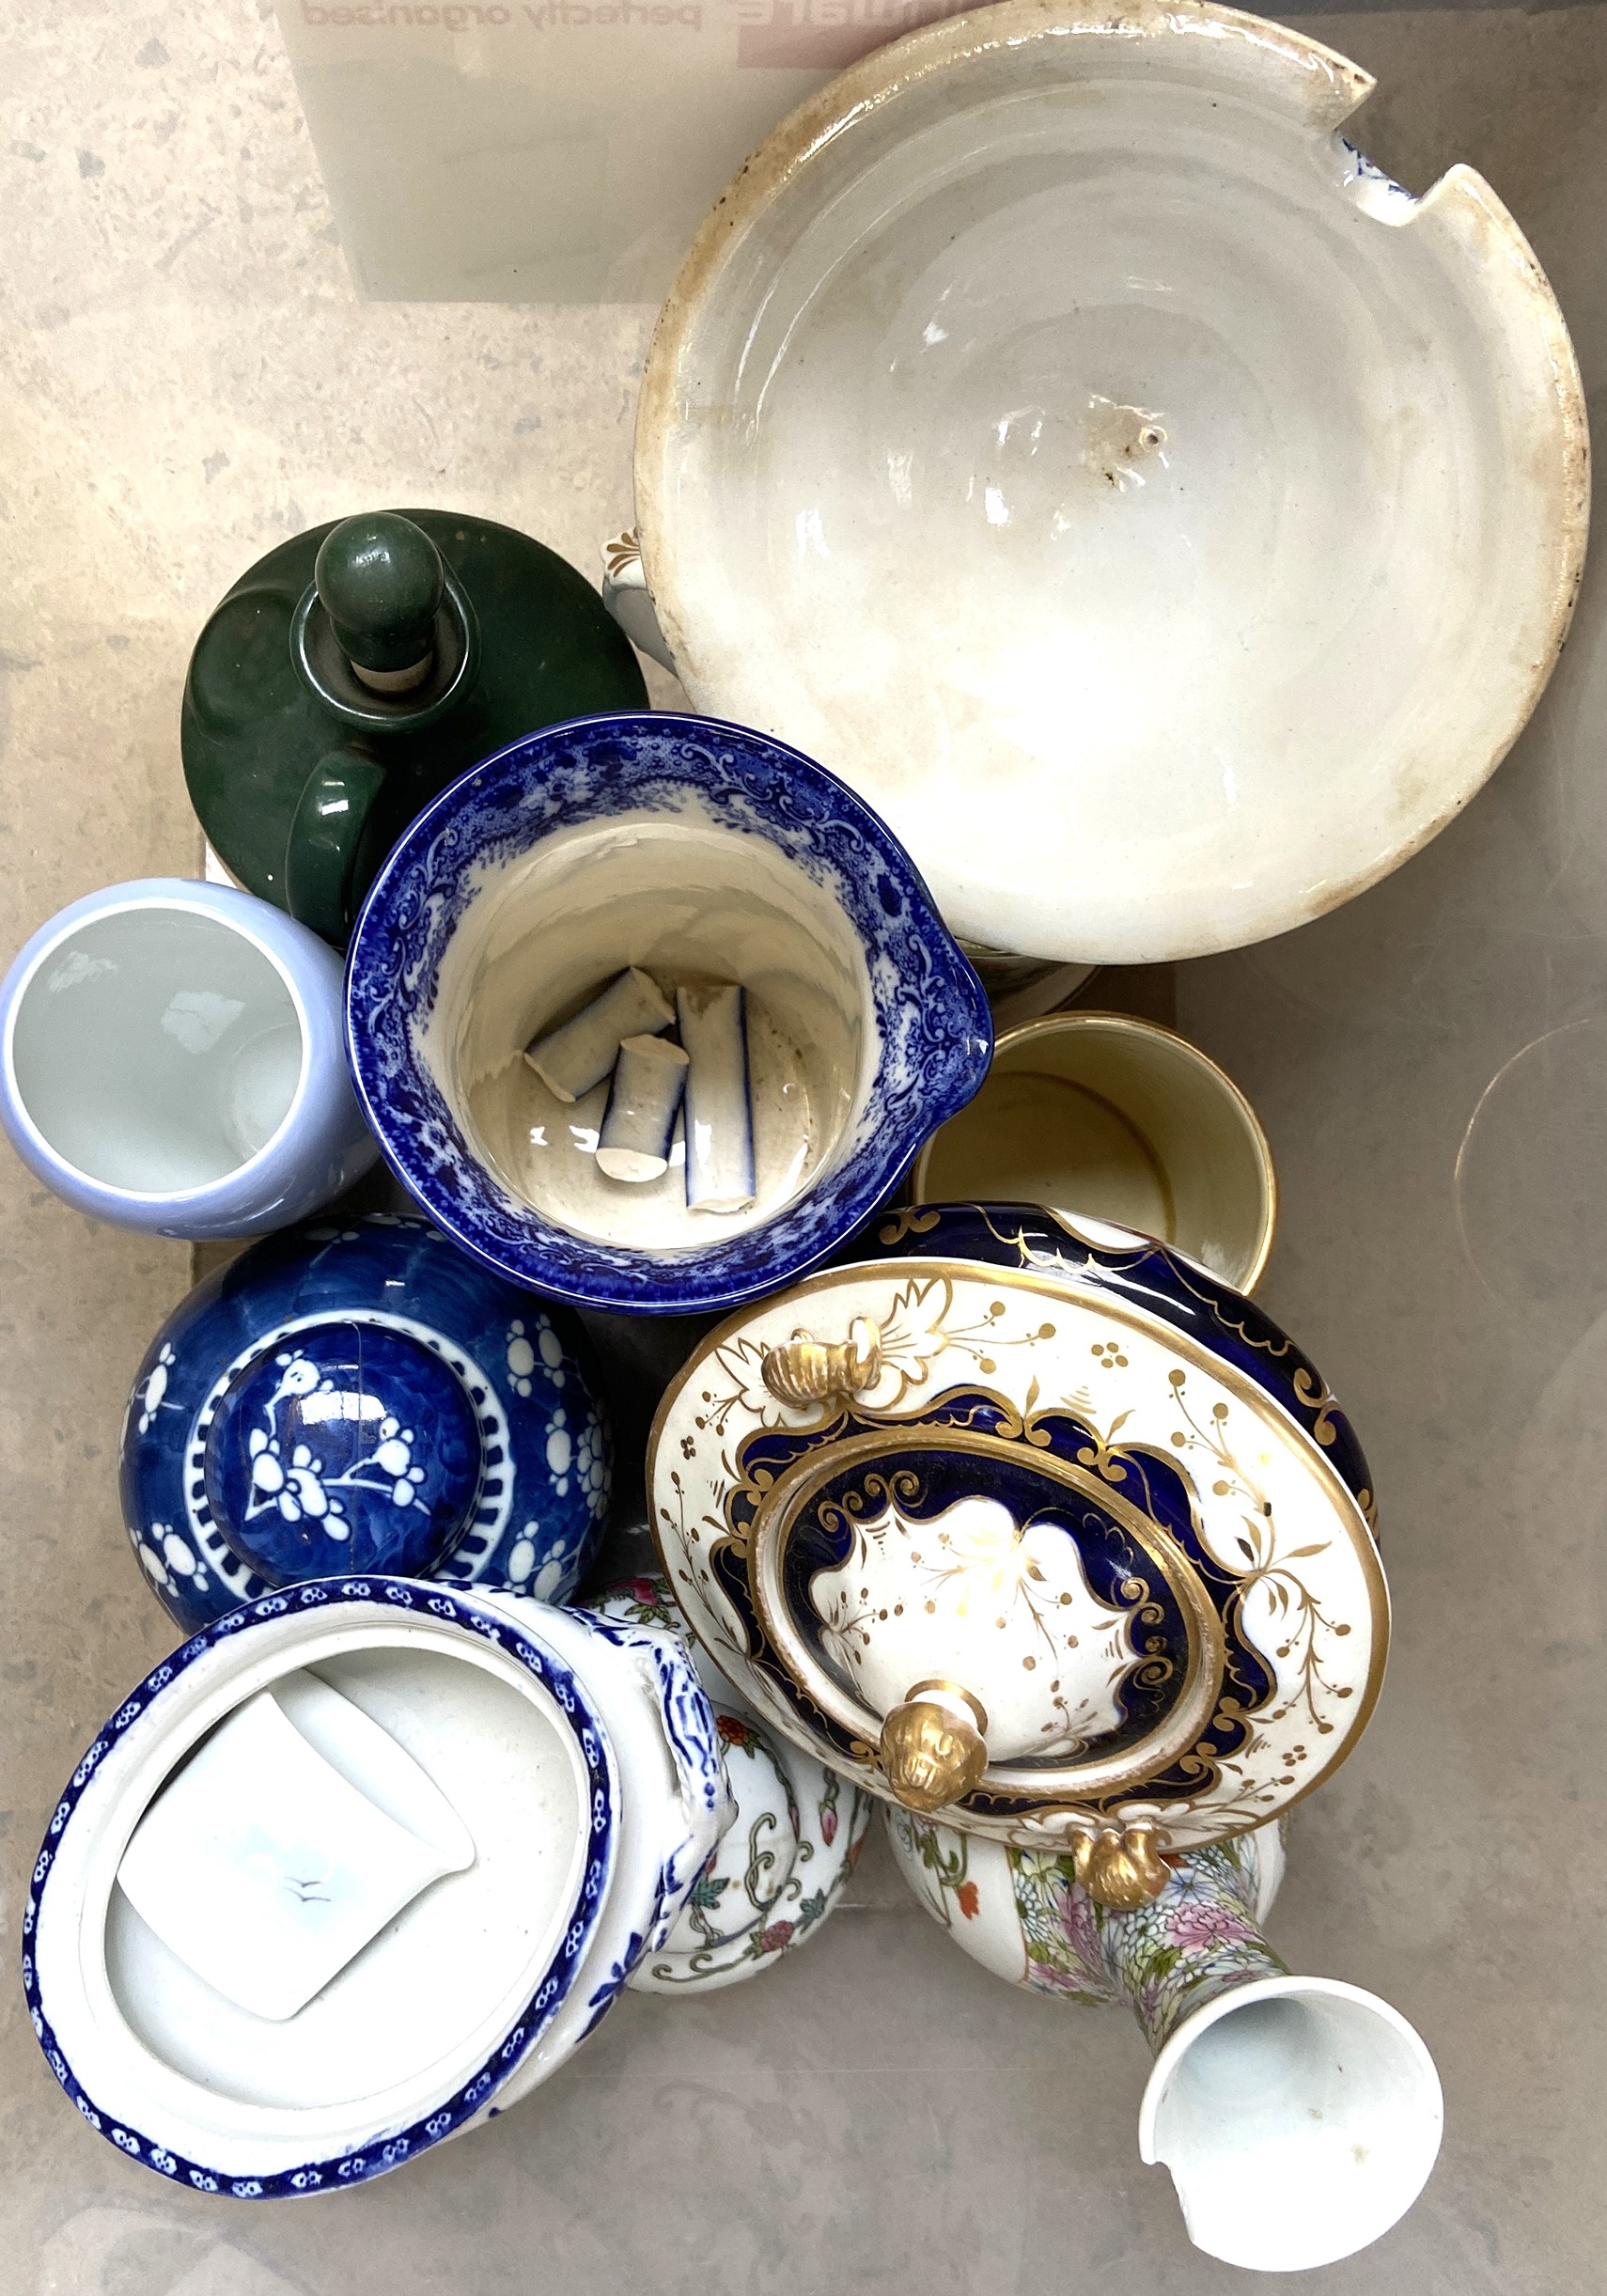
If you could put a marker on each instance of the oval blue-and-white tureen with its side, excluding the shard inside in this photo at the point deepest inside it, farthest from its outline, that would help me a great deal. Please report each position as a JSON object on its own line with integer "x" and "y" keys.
{"x": 212, "y": 2104}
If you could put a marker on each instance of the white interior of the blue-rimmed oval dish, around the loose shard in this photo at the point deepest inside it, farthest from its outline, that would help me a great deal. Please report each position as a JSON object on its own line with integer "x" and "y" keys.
{"x": 419, "y": 2010}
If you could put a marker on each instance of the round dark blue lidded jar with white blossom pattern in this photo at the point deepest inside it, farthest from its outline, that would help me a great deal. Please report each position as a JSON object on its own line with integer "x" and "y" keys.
{"x": 362, "y": 1397}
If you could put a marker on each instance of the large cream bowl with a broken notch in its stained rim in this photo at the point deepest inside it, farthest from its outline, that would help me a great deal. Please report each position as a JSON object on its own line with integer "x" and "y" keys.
{"x": 1064, "y": 435}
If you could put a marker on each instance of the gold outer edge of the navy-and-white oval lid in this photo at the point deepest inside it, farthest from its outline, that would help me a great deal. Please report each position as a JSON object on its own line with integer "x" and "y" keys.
{"x": 1138, "y": 1319}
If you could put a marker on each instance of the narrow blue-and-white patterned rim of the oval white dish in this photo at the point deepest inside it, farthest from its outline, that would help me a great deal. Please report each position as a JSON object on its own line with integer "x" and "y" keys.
{"x": 538, "y": 2012}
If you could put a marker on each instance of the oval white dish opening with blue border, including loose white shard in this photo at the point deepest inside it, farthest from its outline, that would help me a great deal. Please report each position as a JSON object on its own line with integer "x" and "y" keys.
{"x": 323, "y": 1884}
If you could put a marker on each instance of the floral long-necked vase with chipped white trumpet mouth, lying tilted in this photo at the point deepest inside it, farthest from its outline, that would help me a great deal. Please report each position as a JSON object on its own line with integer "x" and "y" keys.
{"x": 1298, "y": 2116}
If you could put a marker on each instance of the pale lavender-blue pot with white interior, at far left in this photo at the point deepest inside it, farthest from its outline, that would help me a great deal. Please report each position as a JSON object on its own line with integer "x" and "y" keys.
{"x": 173, "y": 1060}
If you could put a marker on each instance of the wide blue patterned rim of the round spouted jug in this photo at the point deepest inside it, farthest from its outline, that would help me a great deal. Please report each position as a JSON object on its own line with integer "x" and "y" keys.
{"x": 929, "y": 1004}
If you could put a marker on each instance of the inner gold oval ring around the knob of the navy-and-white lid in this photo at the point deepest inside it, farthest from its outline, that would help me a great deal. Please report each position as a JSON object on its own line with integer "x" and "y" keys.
{"x": 1066, "y": 1783}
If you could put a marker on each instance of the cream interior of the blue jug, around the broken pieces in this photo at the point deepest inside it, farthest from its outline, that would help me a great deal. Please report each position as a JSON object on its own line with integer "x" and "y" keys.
{"x": 685, "y": 901}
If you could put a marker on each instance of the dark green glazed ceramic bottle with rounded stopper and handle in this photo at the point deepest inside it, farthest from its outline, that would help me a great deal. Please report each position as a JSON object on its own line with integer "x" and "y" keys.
{"x": 304, "y": 775}
